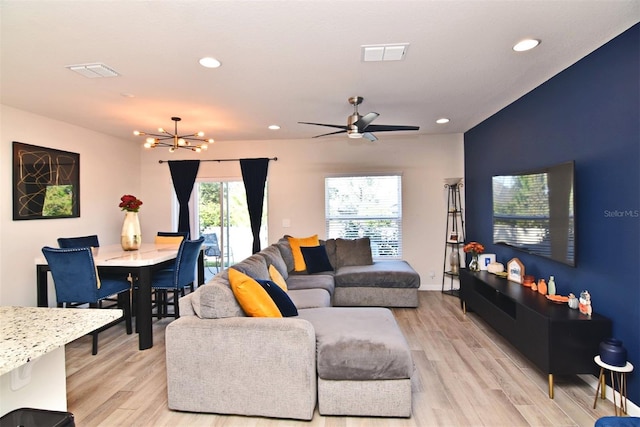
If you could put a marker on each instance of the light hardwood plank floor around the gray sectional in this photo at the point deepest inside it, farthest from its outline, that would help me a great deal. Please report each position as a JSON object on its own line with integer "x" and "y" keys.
{"x": 466, "y": 375}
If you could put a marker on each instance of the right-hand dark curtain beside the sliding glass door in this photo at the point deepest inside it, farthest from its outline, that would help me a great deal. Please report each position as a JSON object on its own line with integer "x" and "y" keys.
{"x": 254, "y": 175}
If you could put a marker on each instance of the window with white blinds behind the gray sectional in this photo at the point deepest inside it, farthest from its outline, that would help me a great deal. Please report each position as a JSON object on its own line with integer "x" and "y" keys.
{"x": 366, "y": 206}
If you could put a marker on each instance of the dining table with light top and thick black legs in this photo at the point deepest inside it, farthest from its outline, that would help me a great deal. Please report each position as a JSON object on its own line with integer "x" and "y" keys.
{"x": 141, "y": 264}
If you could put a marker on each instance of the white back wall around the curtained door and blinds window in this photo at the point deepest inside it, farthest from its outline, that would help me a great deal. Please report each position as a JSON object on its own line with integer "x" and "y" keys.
{"x": 296, "y": 185}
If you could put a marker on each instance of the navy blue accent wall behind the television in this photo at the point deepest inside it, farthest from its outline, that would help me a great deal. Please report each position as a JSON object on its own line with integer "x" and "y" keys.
{"x": 588, "y": 113}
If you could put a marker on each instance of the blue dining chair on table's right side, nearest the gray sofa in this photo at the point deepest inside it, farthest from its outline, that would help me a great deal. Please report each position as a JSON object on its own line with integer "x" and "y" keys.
{"x": 176, "y": 278}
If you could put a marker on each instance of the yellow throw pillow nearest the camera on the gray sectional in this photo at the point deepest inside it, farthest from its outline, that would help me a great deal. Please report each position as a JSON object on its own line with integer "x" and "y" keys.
{"x": 251, "y": 296}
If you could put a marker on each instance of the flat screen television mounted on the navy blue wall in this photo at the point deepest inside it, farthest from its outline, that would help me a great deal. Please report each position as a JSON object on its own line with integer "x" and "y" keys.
{"x": 534, "y": 211}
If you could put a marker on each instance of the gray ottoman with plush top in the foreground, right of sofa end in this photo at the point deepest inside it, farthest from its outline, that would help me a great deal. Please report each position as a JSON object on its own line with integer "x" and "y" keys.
{"x": 364, "y": 363}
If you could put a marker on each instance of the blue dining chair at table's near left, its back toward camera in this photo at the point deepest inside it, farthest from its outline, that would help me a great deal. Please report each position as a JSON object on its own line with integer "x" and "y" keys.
{"x": 77, "y": 282}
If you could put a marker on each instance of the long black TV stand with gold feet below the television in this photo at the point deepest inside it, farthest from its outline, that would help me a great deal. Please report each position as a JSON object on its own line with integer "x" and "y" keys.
{"x": 555, "y": 338}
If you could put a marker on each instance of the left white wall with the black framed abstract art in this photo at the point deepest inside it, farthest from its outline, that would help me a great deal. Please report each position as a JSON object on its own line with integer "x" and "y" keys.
{"x": 109, "y": 168}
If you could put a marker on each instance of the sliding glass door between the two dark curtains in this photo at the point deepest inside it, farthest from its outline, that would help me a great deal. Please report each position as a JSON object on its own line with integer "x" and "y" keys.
{"x": 223, "y": 219}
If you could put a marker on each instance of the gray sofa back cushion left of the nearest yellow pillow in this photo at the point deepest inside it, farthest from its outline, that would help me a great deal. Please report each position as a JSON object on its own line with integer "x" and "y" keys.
{"x": 215, "y": 300}
